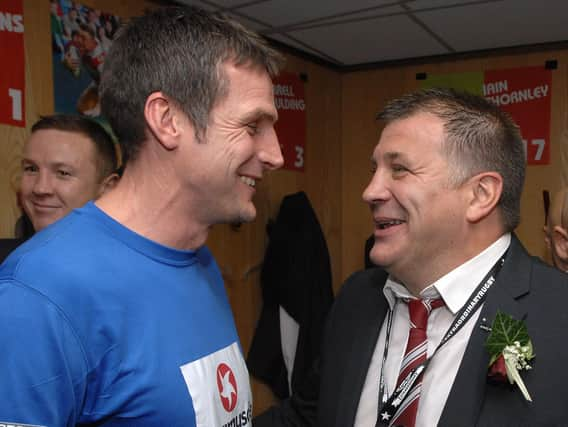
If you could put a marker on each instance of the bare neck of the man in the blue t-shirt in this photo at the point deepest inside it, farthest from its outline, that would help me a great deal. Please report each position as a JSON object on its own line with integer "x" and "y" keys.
{"x": 153, "y": 205}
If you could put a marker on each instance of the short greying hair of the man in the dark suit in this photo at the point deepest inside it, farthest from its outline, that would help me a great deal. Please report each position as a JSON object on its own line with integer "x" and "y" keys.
{"x": 479, "y": 137}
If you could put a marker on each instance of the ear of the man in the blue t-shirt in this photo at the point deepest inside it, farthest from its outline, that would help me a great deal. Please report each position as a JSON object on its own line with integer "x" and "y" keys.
{"x": 163, "y": 119}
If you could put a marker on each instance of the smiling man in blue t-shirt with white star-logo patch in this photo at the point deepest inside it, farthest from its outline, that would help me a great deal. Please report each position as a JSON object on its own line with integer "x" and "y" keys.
{"x": 117, "y": 314}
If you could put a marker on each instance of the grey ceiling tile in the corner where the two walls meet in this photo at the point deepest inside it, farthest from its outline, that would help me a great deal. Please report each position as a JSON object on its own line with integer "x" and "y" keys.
{"x": 393, "y": 38}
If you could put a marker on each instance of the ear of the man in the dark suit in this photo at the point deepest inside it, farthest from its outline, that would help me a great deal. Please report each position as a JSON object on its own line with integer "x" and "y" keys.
{"x": 485, "y": 192}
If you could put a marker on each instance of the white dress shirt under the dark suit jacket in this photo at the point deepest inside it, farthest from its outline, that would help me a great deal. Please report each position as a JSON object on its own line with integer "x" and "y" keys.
{"x": 455, "y": 288}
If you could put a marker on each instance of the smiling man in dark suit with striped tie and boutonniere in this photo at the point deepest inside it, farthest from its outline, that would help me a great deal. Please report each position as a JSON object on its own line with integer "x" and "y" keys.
{"x": 445, "y": 198}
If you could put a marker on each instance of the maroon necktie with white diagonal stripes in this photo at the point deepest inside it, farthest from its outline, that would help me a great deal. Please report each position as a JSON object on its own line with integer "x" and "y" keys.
{"x": 415, "y": 354}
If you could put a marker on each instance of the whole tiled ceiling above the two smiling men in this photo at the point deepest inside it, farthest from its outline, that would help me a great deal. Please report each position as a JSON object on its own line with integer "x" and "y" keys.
{"x": 354, "y": 33}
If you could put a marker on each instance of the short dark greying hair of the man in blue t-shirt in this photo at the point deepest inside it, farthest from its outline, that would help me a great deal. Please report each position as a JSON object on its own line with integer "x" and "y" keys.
{"x": 178, "y": 51}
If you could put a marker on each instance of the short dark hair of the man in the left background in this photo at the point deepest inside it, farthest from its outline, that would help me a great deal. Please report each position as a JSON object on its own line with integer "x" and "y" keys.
{"x": 105, "y": 148}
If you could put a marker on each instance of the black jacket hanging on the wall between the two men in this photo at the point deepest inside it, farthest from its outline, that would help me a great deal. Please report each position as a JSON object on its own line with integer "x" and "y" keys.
{"x": 296, "y": 274}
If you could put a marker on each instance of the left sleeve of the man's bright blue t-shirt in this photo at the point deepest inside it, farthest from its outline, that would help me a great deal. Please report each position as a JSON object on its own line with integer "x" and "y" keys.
{"x": 42, "y": 364}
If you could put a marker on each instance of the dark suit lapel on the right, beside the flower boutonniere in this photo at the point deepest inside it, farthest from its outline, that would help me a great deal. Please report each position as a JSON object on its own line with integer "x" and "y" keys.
{"x": 464, "y": 403}
